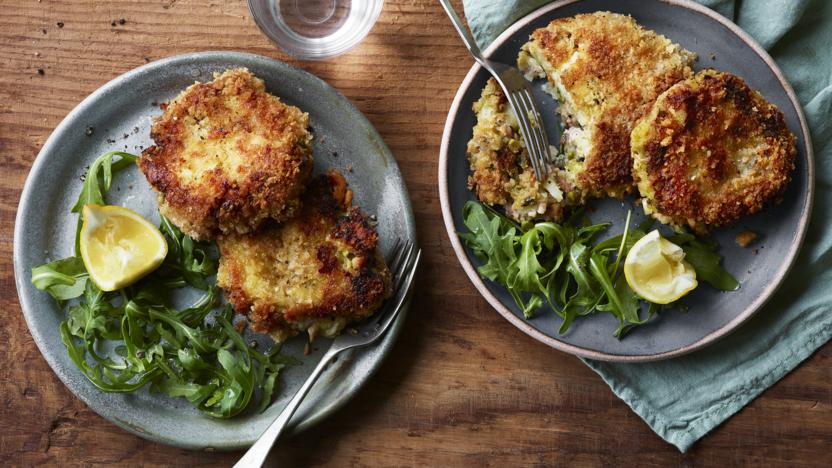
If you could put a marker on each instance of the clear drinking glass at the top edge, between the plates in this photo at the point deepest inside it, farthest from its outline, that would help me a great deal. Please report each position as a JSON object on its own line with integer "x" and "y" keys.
{"x": 315, "y": 29}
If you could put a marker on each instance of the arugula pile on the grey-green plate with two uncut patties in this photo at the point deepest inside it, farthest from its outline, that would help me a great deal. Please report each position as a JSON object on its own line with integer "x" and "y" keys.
{"x": 134, "y": 337}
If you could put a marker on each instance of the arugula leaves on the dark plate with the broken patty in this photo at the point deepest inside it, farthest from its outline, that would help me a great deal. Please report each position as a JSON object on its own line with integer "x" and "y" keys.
{"x": 562, "y": 266}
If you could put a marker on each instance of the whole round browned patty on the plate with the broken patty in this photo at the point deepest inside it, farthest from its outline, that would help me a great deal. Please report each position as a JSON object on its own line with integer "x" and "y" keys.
{"x": 710, "y": 151}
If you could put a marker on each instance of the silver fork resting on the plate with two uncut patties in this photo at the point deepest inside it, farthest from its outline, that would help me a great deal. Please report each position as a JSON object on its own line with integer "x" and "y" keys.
{"x": 404, "y": 260}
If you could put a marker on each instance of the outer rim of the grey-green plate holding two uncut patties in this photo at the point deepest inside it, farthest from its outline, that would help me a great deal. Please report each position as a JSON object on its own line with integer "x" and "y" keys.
{"x": 27, "y": 192}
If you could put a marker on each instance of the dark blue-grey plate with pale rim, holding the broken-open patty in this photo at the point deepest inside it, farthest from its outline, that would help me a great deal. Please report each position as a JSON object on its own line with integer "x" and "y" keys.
{"x": 719, "y": 44}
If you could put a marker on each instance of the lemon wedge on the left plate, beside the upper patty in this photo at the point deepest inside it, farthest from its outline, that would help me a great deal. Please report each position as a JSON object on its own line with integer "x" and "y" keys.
{"x": 118, "y": 246}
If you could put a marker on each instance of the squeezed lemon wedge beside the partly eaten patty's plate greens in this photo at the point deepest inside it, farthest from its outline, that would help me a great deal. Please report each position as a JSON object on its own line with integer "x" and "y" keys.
{"x": 657, "y": 271}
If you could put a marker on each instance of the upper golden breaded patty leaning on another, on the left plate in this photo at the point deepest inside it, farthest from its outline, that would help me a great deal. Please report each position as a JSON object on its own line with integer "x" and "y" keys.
{"x": 228, "y": 156}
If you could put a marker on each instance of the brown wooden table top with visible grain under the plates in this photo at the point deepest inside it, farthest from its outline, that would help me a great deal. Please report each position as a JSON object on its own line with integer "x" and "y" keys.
{"x": 462, "y": 386}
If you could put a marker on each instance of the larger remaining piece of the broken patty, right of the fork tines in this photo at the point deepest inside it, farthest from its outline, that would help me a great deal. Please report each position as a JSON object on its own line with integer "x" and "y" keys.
{"x": 605, "y": 71}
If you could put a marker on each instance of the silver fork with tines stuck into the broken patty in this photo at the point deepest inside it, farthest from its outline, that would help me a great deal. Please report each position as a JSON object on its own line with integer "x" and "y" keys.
{"x": 519, "y": 96}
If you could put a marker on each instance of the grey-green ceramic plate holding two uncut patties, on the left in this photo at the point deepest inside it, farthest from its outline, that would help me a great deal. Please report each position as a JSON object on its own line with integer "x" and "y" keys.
{"x": 120, "y": 114}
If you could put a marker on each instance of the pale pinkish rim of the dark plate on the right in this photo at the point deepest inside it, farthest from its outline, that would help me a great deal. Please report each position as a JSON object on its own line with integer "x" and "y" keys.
{"x": 584, "y": 352}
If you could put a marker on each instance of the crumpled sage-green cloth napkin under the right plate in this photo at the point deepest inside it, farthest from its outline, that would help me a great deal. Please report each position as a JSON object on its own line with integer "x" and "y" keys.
{"x": 684, "y": 398}
